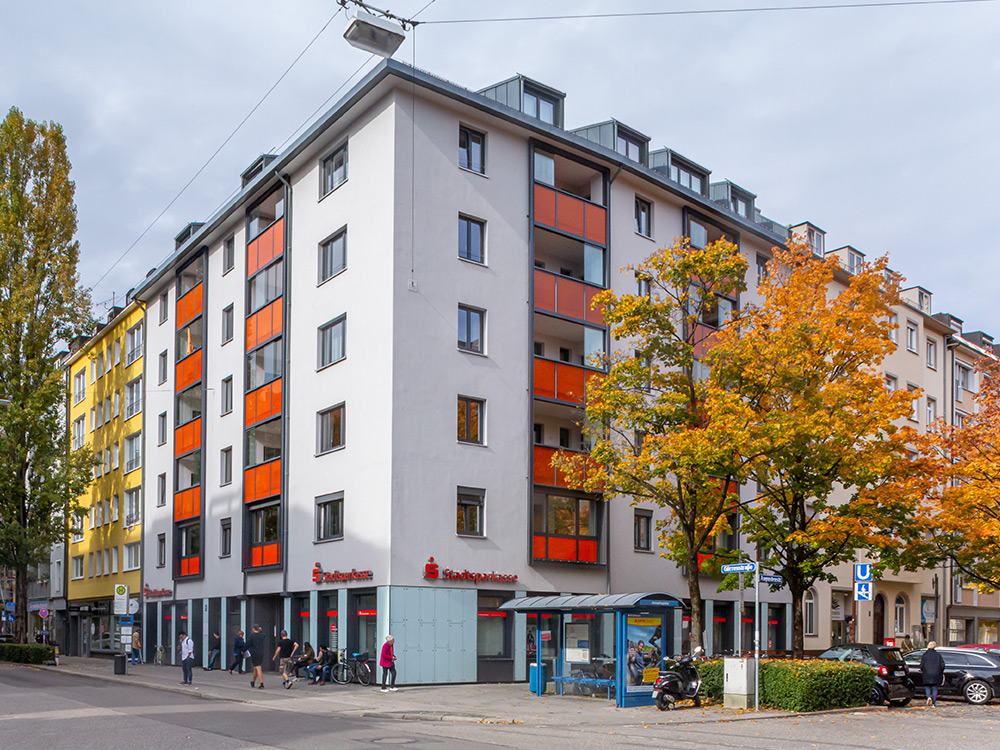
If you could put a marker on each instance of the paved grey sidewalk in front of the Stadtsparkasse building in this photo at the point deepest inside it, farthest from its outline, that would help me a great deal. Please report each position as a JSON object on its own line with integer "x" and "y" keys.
{"x": 494, "y": 703}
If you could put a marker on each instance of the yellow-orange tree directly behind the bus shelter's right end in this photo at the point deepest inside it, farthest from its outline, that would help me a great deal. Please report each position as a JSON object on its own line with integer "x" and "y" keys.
{"x": 659, "y": 432}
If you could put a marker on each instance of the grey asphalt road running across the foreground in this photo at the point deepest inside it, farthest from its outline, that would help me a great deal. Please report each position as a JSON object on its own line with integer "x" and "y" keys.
{"x": 41, "y": 709}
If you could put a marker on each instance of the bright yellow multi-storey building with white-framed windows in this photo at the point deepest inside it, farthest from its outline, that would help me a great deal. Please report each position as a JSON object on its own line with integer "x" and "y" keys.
{"x": 105, "y": 379}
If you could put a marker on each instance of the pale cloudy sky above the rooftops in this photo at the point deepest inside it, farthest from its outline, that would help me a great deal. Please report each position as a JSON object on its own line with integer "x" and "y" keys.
{"x": 879, "y": 125}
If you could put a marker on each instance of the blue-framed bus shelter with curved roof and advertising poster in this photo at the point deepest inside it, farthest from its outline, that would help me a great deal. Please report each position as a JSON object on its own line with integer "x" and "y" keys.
{"x": 600, "y": 643}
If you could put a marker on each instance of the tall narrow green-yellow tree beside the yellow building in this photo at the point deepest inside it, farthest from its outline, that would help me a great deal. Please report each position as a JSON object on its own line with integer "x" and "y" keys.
{"x": 41, "y": 307}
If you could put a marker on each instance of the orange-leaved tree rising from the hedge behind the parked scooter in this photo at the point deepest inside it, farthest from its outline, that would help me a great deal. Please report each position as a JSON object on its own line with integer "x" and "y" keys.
{"x": 825, "y": 451}
